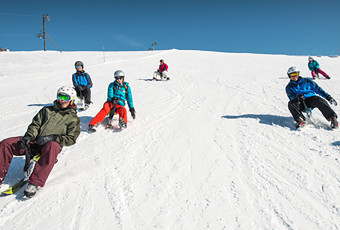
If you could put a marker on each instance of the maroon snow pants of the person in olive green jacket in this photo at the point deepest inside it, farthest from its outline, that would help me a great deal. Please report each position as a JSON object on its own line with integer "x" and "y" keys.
{"x": 49, "y": 152}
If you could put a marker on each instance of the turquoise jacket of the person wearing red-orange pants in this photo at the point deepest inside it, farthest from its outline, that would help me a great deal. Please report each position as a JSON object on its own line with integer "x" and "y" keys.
{"x": 121, "y": 91}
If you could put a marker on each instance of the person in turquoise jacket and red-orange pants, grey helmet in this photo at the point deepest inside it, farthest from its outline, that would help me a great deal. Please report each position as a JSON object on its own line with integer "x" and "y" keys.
{"x": 118, "y": 92}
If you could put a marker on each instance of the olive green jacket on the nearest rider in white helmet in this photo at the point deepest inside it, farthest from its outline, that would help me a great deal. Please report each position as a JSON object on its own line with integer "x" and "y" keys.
{"x": 53, "y": 120}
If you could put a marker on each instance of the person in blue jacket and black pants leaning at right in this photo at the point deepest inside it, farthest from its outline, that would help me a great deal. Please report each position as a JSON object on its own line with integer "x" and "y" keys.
{"x": 303, "y": 91}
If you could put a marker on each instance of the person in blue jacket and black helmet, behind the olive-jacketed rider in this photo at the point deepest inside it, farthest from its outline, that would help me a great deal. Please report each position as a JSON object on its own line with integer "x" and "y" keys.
{"x": 82, "y": 84}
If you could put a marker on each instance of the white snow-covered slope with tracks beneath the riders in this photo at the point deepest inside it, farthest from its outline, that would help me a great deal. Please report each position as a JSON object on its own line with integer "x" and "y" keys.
{"x": 214, "y": 148}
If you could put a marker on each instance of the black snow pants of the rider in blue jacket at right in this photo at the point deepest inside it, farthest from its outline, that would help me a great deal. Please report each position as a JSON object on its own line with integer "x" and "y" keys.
{"x": 296, "y": 107}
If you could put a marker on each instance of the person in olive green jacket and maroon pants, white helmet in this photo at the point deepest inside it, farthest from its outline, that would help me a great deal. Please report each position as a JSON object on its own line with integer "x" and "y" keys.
{"x": 52, "y": 128}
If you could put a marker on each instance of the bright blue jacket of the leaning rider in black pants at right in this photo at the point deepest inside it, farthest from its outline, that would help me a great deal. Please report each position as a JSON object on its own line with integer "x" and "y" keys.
{"x": 304, "y": 86}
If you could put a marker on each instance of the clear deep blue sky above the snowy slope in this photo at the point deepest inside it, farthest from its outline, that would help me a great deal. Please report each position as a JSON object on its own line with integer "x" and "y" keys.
{"x": 240, "y": 26}
